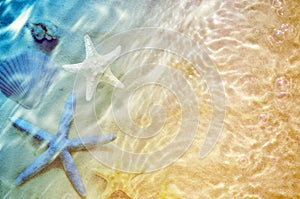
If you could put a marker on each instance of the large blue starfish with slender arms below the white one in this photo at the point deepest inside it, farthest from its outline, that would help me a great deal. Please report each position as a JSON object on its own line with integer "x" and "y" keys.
{"x": 58, "y": 145}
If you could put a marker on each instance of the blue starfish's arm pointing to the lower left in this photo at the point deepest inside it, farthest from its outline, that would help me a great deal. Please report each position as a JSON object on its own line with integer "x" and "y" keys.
{"x": 38, "y": 164}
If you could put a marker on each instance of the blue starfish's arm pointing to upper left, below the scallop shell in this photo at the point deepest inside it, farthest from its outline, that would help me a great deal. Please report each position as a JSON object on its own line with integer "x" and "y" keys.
{"x": 36, "y": 132}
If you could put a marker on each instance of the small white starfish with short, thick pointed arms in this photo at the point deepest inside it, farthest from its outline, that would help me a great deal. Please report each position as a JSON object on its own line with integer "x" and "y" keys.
{"x": 94, "y": 68}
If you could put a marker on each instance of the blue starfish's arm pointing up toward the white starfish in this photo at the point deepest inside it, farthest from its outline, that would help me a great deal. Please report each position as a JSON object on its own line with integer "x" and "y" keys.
{"x": 67, "y": 117}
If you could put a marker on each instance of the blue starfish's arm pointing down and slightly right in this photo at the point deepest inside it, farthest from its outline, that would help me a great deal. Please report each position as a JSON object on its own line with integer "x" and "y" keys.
{"x": 72, "y": 172}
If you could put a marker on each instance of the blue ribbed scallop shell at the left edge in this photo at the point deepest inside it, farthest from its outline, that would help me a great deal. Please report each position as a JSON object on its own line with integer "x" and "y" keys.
{"x": 26, "y": 77}
